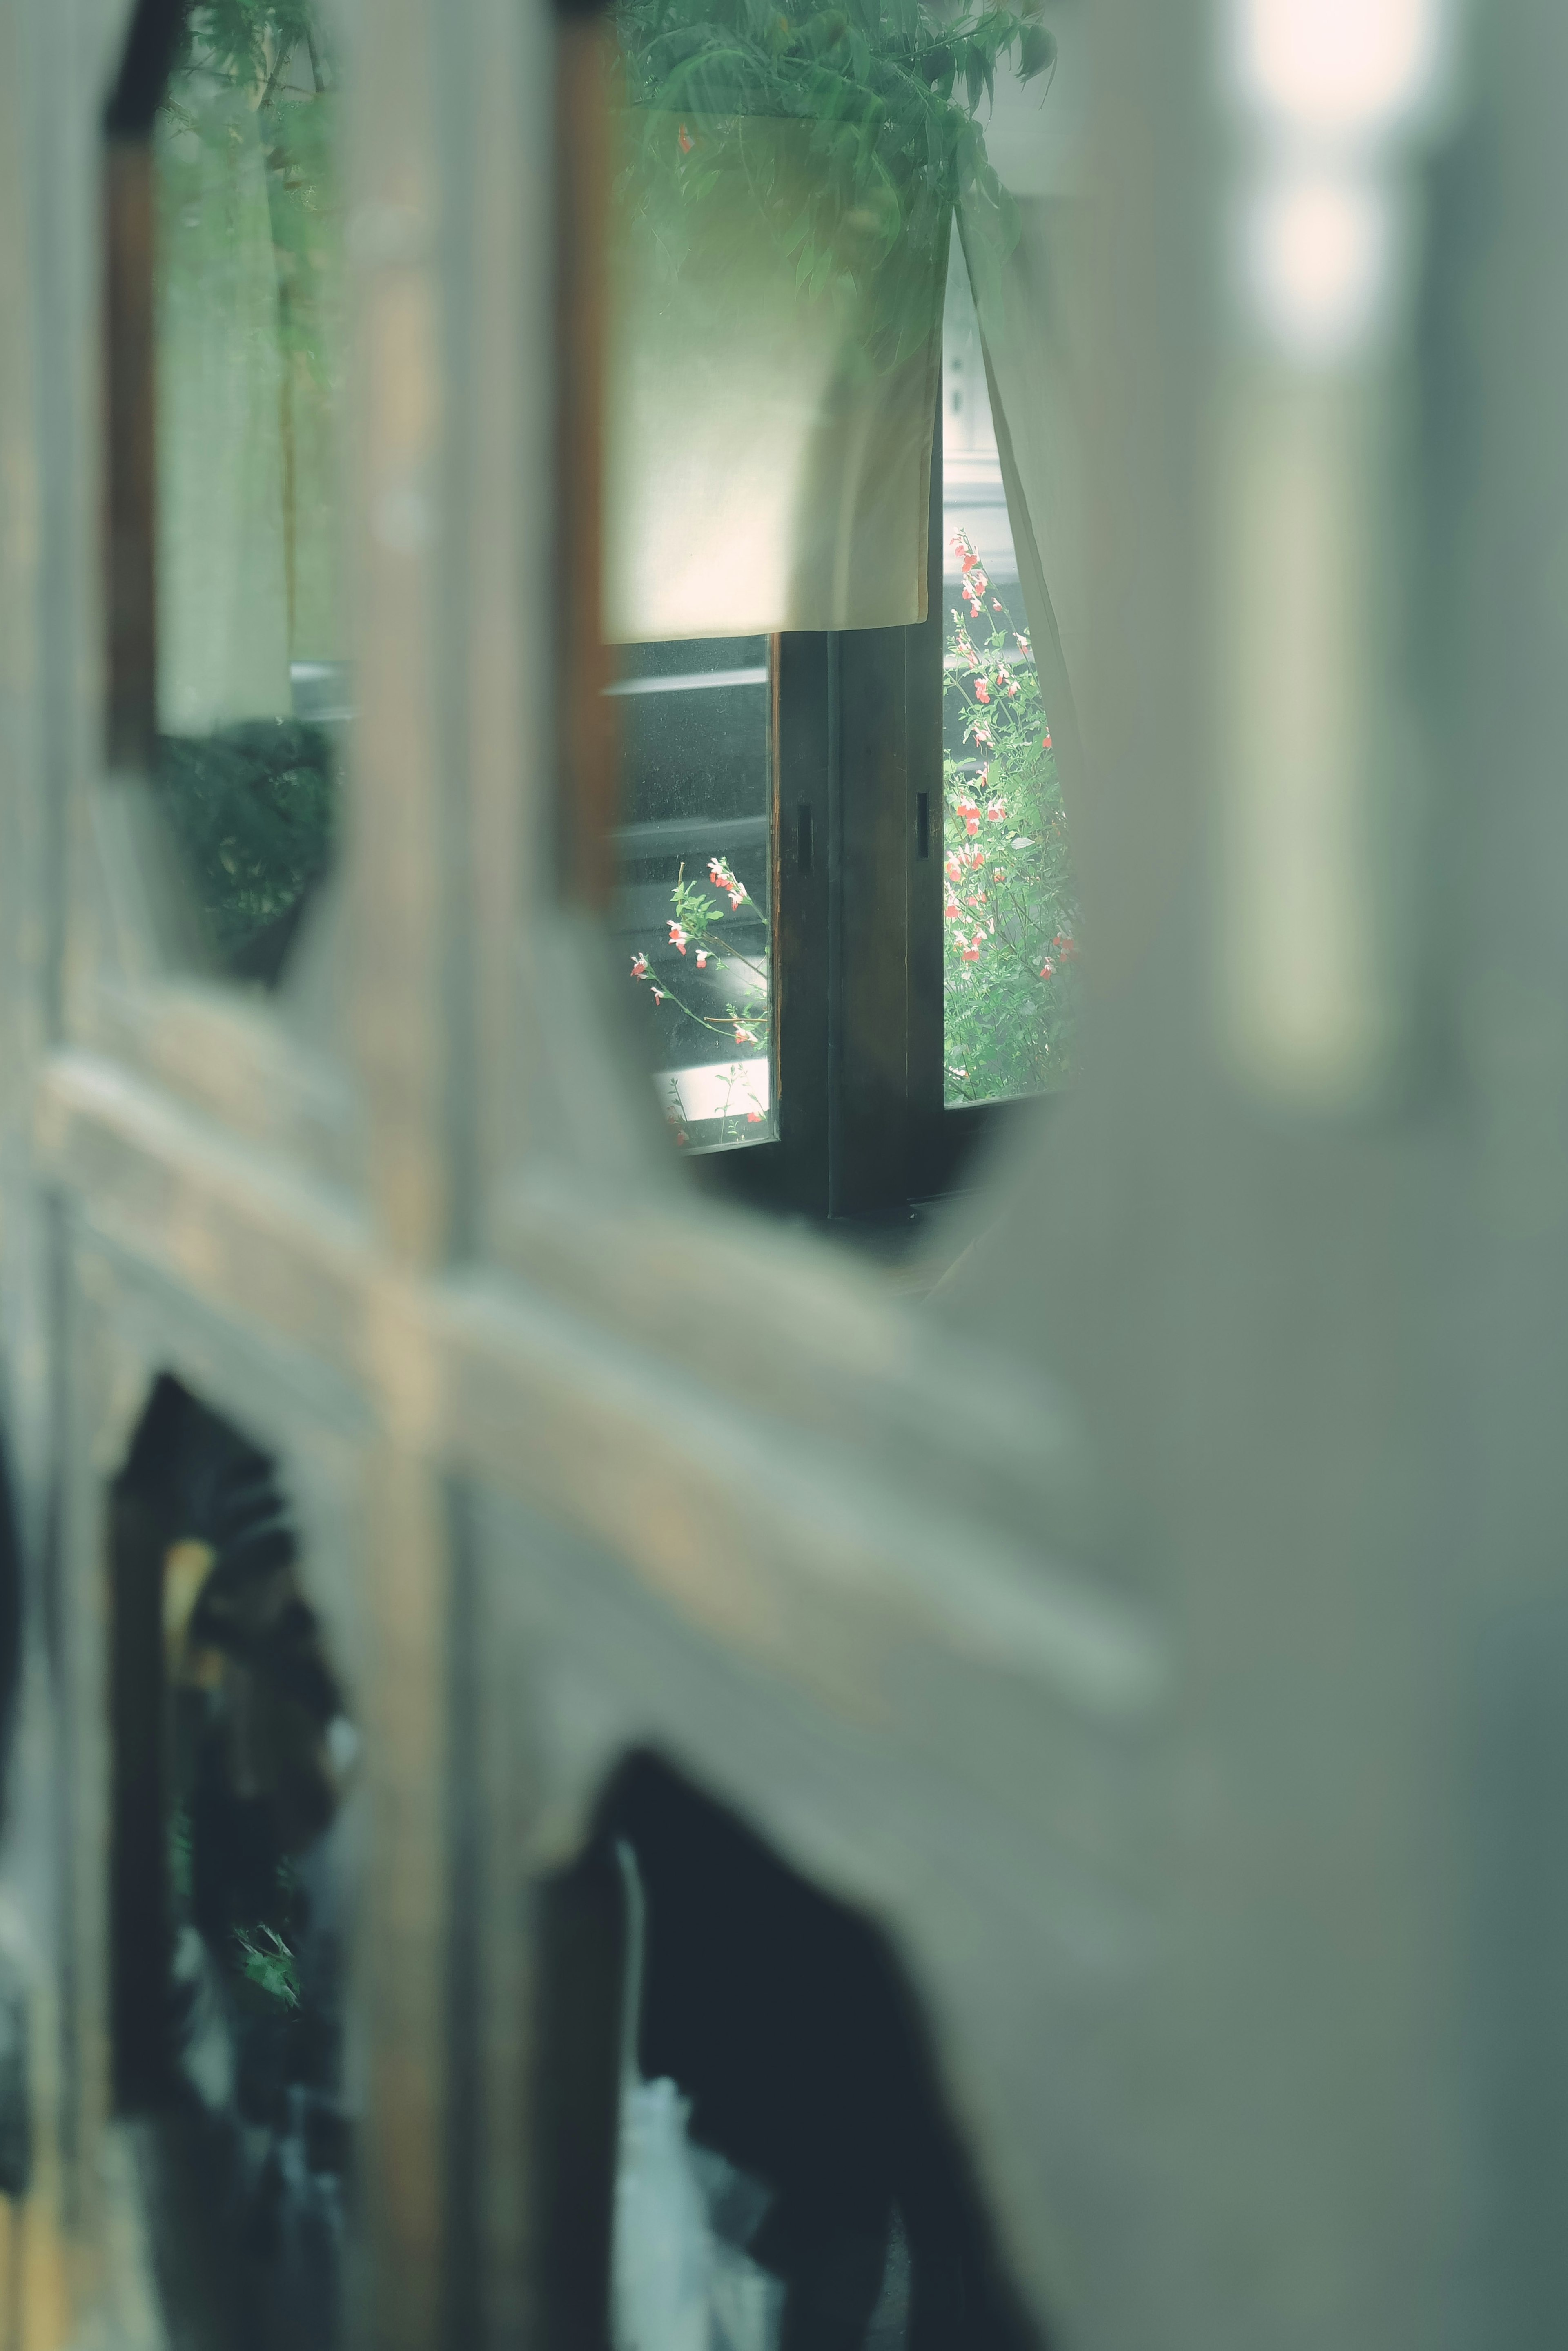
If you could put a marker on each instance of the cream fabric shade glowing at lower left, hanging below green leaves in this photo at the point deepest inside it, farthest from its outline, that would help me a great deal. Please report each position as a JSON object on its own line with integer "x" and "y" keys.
{"x": 765, "y": 471}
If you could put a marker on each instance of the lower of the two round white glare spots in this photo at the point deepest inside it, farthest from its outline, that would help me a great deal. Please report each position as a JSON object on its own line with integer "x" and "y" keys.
{"x": 1318, "y": 260}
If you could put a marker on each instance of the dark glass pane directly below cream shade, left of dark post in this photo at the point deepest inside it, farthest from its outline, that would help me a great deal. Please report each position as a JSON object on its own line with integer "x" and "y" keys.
{"x": 695, "y": 880}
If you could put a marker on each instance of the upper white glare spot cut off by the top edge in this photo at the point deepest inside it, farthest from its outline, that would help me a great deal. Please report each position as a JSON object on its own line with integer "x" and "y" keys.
{"x": 1339, "y": 67}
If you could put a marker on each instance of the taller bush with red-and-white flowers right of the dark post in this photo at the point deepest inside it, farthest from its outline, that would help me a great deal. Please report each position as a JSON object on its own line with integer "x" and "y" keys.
{"x": 1010, "y": 904}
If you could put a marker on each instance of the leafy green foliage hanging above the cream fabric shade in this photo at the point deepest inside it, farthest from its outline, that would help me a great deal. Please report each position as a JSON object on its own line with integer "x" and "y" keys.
{"x": 887, "y": 95}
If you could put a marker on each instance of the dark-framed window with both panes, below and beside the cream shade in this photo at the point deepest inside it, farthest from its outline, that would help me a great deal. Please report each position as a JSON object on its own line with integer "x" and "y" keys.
{"x": 845, "y": 892}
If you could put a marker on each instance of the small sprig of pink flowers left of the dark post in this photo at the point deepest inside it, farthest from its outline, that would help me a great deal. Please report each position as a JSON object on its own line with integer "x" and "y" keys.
{"x": 692, "y": 937}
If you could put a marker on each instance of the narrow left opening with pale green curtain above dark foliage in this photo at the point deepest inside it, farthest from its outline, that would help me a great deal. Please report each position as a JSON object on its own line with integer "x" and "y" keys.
{"x": 250, "y": 375}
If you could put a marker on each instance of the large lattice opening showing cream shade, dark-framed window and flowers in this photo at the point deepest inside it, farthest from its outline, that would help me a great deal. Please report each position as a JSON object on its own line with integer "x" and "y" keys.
{"x": 845, "y": 888}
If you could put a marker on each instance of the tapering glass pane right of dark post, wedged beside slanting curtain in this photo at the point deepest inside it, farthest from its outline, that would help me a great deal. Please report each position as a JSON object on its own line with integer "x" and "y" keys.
{"x": 1010, "y": 904}
